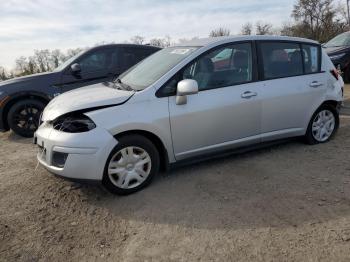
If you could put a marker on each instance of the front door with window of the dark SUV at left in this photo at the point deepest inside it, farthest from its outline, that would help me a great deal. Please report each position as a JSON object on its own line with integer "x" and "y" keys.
{"x": 96, "y": 66}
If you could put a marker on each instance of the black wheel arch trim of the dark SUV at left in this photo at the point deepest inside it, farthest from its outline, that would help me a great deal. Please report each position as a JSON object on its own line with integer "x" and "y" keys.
{"x": 18, "y": 97}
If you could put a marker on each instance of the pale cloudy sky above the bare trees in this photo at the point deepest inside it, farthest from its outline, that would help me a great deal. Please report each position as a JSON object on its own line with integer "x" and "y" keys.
{"x": 26, "y": 25}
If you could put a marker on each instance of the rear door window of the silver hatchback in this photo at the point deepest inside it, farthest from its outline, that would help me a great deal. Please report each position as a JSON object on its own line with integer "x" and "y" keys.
{"x": 281, "y": 59}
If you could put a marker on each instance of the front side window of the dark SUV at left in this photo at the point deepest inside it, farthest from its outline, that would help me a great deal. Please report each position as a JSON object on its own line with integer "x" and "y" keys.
{"x": 96, "y": 61}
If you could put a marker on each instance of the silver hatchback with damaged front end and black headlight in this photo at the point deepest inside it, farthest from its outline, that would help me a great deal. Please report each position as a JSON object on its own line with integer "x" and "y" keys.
{"x": 190, "y": 101}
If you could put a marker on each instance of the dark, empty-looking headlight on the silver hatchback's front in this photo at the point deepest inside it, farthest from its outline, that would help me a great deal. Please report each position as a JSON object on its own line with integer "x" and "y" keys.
{"x": 73, "y": 123}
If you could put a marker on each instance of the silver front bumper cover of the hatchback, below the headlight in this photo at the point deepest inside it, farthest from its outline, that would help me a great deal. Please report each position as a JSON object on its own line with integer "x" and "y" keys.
{"x": 87, "y": 152}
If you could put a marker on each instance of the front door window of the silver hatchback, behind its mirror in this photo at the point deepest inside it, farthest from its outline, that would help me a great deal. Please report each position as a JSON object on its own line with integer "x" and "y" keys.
{"x": 222, "y": 67}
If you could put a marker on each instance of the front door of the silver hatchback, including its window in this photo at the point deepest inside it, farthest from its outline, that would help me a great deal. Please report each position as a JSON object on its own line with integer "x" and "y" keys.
{"x": 226, "y": 111}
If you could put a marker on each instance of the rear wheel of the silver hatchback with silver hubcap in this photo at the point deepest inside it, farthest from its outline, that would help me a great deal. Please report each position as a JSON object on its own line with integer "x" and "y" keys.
{"x": 323, "y": 125}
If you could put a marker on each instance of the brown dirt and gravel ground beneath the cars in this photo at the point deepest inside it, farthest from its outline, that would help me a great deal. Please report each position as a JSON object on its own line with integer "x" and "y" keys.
{"x": 289, "y": 202}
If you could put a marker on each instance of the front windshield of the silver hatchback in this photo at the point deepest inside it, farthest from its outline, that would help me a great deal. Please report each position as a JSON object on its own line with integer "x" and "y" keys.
{"x": 155, "y": 66}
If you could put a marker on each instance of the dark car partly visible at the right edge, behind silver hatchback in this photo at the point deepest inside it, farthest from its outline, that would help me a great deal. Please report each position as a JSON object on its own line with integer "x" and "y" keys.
{"x": 338, "y": 49}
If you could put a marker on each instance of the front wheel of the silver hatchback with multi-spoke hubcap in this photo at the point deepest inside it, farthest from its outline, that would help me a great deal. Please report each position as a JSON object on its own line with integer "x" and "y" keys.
{"x": 123, "y": 174}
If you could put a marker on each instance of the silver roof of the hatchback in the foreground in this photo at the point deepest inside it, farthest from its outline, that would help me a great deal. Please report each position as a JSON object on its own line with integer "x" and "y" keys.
{"x": 213, "y": 40}
